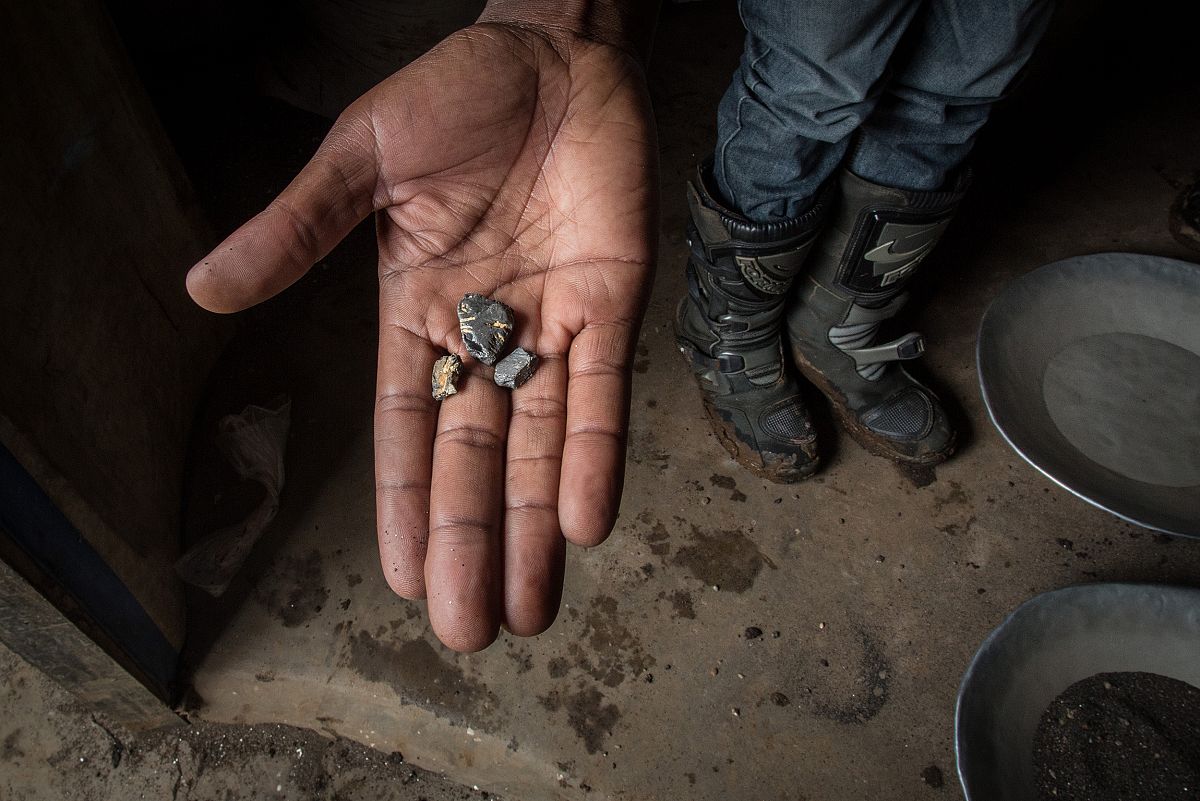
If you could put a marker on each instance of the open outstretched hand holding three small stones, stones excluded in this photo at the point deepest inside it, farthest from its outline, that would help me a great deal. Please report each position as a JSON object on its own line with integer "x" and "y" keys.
{"x": 519, "y": 165}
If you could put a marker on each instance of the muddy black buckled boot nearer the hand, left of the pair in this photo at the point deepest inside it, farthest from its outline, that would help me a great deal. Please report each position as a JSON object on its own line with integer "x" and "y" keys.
{"x": 730, "y": 330}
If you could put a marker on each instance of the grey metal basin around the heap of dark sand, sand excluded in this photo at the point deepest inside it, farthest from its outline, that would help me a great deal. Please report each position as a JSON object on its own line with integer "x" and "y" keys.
{"x": 1048, "y": 645}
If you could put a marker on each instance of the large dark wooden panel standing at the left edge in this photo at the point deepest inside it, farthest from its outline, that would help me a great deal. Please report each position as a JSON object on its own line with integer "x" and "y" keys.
{"x": 103, "y": 354}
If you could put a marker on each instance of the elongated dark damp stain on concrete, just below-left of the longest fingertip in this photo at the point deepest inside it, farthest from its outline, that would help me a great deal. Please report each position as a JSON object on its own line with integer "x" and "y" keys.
{"x": 422, "y": 677}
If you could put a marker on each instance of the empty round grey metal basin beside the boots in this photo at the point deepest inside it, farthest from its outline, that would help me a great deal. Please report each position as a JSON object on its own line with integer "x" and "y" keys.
{"x": 1090, "y": 368}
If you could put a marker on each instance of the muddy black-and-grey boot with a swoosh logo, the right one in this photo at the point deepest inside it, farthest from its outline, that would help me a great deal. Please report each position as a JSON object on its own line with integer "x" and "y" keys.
{"x": 856, "y": 279}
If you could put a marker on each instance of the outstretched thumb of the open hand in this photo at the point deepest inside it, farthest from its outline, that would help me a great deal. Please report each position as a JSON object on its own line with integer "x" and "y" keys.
{"x": 331, "y": 196}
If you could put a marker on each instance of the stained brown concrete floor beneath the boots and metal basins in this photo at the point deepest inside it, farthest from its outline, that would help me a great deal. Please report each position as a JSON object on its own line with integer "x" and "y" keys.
{"x": 872, "y": 594}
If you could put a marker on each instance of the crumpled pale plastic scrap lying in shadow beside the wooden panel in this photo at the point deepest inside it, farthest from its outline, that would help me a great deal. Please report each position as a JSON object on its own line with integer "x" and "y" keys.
{"x": 254, "y": 442}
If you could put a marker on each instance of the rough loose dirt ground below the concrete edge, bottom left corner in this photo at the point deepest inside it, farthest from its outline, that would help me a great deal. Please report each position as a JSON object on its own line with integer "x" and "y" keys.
{"x": 51, "y": 748}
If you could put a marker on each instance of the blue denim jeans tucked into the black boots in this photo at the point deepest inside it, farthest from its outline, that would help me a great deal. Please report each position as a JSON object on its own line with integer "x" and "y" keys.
{"x": 895, "y": 89}
